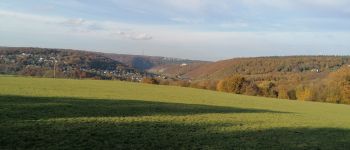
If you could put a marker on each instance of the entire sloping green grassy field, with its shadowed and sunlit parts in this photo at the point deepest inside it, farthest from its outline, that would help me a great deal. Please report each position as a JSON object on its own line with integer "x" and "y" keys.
{"x": 38, "y": 113}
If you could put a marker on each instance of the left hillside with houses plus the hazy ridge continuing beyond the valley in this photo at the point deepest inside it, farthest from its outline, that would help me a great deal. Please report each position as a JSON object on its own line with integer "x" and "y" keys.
{"x": 76, "y": 64}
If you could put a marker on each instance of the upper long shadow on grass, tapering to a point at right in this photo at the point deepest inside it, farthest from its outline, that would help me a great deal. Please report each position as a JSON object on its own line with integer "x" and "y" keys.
{"x": 33, "y": 108}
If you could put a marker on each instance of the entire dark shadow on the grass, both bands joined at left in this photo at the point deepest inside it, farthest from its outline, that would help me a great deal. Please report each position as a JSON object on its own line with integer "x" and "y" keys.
{"x": 29, "y": 123}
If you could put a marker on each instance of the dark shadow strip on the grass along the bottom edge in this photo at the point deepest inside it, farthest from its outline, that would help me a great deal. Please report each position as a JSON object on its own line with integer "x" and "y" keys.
{"x": 164, "y": 135}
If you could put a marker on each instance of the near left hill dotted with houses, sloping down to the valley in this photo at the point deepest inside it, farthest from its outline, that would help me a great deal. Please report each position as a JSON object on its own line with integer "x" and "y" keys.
{"x": 67, "y": 64}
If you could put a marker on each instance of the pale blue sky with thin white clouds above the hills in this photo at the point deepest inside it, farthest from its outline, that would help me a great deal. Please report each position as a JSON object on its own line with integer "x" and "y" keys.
{"x": 192, "y": 29}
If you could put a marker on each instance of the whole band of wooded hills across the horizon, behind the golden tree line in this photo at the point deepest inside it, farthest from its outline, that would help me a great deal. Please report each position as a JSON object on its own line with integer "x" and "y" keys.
{"x": 21, "y": 60}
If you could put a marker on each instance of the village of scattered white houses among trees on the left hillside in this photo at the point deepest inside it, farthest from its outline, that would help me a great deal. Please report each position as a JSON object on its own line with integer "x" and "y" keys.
{"x": 23, "y": 63}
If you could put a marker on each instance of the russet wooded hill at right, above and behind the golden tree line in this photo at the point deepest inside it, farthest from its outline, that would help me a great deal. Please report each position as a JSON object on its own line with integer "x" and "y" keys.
{"x": 267, "y": 65}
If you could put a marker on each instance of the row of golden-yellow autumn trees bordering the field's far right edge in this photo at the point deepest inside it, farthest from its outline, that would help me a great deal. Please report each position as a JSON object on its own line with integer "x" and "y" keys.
{"x": 332, "y": 87}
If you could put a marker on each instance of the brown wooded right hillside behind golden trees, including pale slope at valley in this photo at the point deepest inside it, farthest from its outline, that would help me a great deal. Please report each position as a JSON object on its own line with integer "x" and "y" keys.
{"x": 256, "y": 67}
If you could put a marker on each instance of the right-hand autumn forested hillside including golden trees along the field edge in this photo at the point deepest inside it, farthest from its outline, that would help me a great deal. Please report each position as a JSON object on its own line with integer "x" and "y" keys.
{"x": 308, "y": 78}
